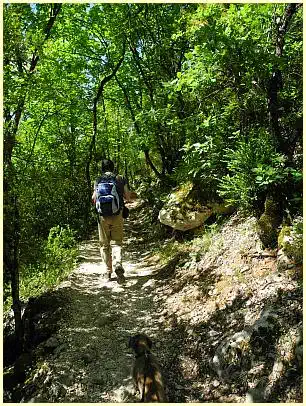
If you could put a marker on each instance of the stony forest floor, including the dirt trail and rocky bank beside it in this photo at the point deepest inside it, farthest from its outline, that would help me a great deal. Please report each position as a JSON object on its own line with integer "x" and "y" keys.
{"x": 189, "y": 304}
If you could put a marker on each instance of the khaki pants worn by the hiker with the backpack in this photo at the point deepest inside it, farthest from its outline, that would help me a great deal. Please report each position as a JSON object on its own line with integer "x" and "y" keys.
{"x": 110, "y": 238}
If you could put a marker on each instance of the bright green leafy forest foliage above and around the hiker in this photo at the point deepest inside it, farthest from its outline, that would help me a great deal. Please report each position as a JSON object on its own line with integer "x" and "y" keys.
{"x": 189, "y": 100}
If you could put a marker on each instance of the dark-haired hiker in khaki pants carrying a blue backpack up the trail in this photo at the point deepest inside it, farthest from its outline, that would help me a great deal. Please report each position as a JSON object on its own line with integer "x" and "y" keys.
{"x": 109, "y": 193}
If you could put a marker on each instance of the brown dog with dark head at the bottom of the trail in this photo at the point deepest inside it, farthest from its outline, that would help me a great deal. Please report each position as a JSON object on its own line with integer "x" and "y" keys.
{"x": 146, "y": 370}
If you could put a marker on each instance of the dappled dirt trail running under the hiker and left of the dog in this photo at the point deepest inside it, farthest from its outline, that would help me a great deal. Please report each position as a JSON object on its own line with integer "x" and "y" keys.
{"x": 92, "y": 362}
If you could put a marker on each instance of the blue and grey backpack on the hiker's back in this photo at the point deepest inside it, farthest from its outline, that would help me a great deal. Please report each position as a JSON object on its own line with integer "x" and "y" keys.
{"x": 107, "y": 197}
